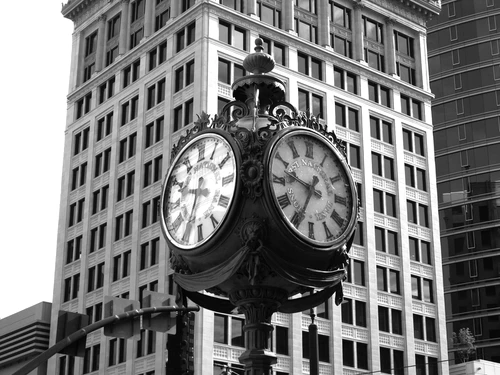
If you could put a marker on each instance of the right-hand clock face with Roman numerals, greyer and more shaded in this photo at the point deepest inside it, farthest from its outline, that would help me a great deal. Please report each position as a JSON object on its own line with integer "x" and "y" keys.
{"x": 312, "y": 188}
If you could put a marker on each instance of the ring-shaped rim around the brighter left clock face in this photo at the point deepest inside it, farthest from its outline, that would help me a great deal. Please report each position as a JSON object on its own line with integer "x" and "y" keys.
{"x": 193, "y": 249}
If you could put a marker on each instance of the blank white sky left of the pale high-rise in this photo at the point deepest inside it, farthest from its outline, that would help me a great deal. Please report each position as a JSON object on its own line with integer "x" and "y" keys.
{"x": 34, "y": 76}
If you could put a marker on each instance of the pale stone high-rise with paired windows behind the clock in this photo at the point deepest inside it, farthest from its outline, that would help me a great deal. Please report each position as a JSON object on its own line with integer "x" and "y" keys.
{"x": 142, "y": 70}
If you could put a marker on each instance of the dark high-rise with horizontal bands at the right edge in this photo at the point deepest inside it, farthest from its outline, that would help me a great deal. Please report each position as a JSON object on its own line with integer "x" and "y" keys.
{"x": 464, "y": 64}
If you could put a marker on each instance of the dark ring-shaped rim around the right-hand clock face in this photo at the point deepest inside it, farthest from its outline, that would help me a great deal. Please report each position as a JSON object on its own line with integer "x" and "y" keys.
{"x": 284, "y": 221}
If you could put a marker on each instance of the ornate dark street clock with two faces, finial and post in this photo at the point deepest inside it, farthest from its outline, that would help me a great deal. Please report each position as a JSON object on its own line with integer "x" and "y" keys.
{"x": 258, "y": 206}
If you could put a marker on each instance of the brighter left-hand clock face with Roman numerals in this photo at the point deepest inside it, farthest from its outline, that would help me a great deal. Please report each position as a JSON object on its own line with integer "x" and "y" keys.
{"x": 199, "y": 190}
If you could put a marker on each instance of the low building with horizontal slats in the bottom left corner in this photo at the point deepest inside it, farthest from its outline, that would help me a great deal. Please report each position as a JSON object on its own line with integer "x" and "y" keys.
{"x": 23, "y": 336}
